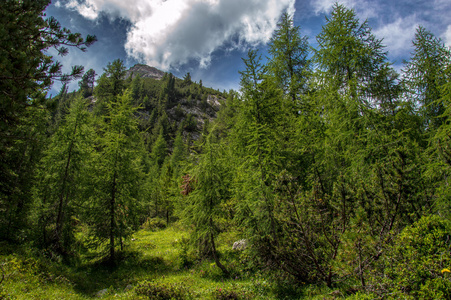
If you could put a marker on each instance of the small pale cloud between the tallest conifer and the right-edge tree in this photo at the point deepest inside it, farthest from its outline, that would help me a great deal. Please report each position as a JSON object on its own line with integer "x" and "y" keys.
{"x": 398, "y": 35}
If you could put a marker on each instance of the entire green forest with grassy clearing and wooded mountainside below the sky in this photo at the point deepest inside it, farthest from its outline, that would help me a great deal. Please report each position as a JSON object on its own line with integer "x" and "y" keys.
{"x": 326, "y": 176}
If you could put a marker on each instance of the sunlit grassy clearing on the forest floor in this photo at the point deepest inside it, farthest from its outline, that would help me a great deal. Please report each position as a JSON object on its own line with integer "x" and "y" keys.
{"x": 152, "y": 263}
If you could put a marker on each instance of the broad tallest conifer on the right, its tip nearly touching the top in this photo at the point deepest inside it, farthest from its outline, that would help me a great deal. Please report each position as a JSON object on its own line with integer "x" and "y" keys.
{"x": 357, "y": 178}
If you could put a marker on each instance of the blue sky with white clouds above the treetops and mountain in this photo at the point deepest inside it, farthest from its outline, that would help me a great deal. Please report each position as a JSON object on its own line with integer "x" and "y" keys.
{"x": 208, "y": 38}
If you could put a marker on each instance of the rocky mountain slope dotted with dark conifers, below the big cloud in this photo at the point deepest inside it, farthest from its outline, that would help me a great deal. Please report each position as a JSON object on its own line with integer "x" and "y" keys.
{"x": 172, "y": 103}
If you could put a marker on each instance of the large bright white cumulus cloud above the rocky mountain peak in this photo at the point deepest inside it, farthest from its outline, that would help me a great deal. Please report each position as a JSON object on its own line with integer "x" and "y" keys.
{"x": 170, "y": 33}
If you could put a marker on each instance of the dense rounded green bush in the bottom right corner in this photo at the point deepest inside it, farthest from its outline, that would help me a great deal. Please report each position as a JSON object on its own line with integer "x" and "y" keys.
{"x": 417, "y": 266}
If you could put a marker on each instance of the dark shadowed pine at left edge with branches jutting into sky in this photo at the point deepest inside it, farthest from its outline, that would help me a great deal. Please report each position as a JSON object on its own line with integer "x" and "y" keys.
{"x": 27, "y": 71}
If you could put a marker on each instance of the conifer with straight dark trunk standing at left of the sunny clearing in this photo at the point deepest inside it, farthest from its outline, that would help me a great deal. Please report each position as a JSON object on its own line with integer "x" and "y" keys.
{"x": 117, "y": 175}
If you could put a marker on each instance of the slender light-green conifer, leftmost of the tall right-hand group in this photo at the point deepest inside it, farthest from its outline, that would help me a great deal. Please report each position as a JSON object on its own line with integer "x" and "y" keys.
{"x": 258, "y": 141}
